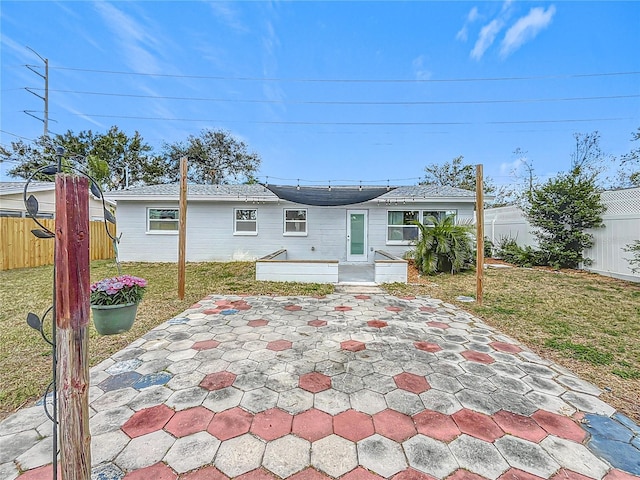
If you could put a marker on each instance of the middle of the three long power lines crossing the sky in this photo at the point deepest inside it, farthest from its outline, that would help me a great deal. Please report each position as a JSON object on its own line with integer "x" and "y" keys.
{"x": 347, "y": 102}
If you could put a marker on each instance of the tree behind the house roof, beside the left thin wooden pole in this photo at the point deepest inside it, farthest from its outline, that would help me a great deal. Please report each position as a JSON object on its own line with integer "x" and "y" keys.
{"x": 215, "y": 157}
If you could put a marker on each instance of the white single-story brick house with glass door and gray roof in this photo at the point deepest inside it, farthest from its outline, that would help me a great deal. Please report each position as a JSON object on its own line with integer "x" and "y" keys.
{"x": 247, "y": 222}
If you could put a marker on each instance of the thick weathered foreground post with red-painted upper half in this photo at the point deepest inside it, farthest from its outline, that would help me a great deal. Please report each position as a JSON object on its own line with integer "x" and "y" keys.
{"x": 72, "y": 324}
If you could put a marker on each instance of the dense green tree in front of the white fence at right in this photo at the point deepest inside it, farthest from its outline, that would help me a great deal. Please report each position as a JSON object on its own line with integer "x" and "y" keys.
{"x": 564, "y": 207}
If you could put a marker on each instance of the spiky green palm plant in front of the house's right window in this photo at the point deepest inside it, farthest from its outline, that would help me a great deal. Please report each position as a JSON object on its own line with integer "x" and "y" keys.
{"x": 443, "y": 245}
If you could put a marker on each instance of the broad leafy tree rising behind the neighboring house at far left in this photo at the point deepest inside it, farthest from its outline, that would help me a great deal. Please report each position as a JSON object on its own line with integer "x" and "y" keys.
{"x": 113, "y": 159}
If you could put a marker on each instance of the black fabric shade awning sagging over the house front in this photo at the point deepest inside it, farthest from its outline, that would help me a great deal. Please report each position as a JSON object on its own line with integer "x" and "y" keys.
{"x": 327, "y": 196}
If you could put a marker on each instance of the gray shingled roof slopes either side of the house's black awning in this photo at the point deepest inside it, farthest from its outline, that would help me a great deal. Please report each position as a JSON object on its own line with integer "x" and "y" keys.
{"x": 170, "y": 190}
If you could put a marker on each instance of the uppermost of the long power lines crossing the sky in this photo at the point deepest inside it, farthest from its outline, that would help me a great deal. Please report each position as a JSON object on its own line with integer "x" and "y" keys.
{"x": 345, "y": 80}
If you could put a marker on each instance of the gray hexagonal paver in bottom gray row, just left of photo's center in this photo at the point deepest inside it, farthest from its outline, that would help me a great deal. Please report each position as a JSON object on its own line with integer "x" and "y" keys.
{"x": 287, "y": 455}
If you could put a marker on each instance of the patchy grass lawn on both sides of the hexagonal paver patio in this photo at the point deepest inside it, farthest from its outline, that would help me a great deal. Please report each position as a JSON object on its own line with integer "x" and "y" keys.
{"x": 585, "y": 322}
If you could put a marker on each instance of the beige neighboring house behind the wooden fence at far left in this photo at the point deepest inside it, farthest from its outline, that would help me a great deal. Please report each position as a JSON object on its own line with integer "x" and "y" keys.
{"x": 12, "y": 200}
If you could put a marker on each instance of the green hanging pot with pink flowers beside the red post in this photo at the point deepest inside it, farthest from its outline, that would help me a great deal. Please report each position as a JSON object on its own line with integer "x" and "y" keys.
{"x": 114, "y": 303}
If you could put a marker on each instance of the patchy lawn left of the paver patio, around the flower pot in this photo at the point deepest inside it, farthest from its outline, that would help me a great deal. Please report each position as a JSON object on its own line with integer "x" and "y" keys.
{"x": 25, "y": 359}
